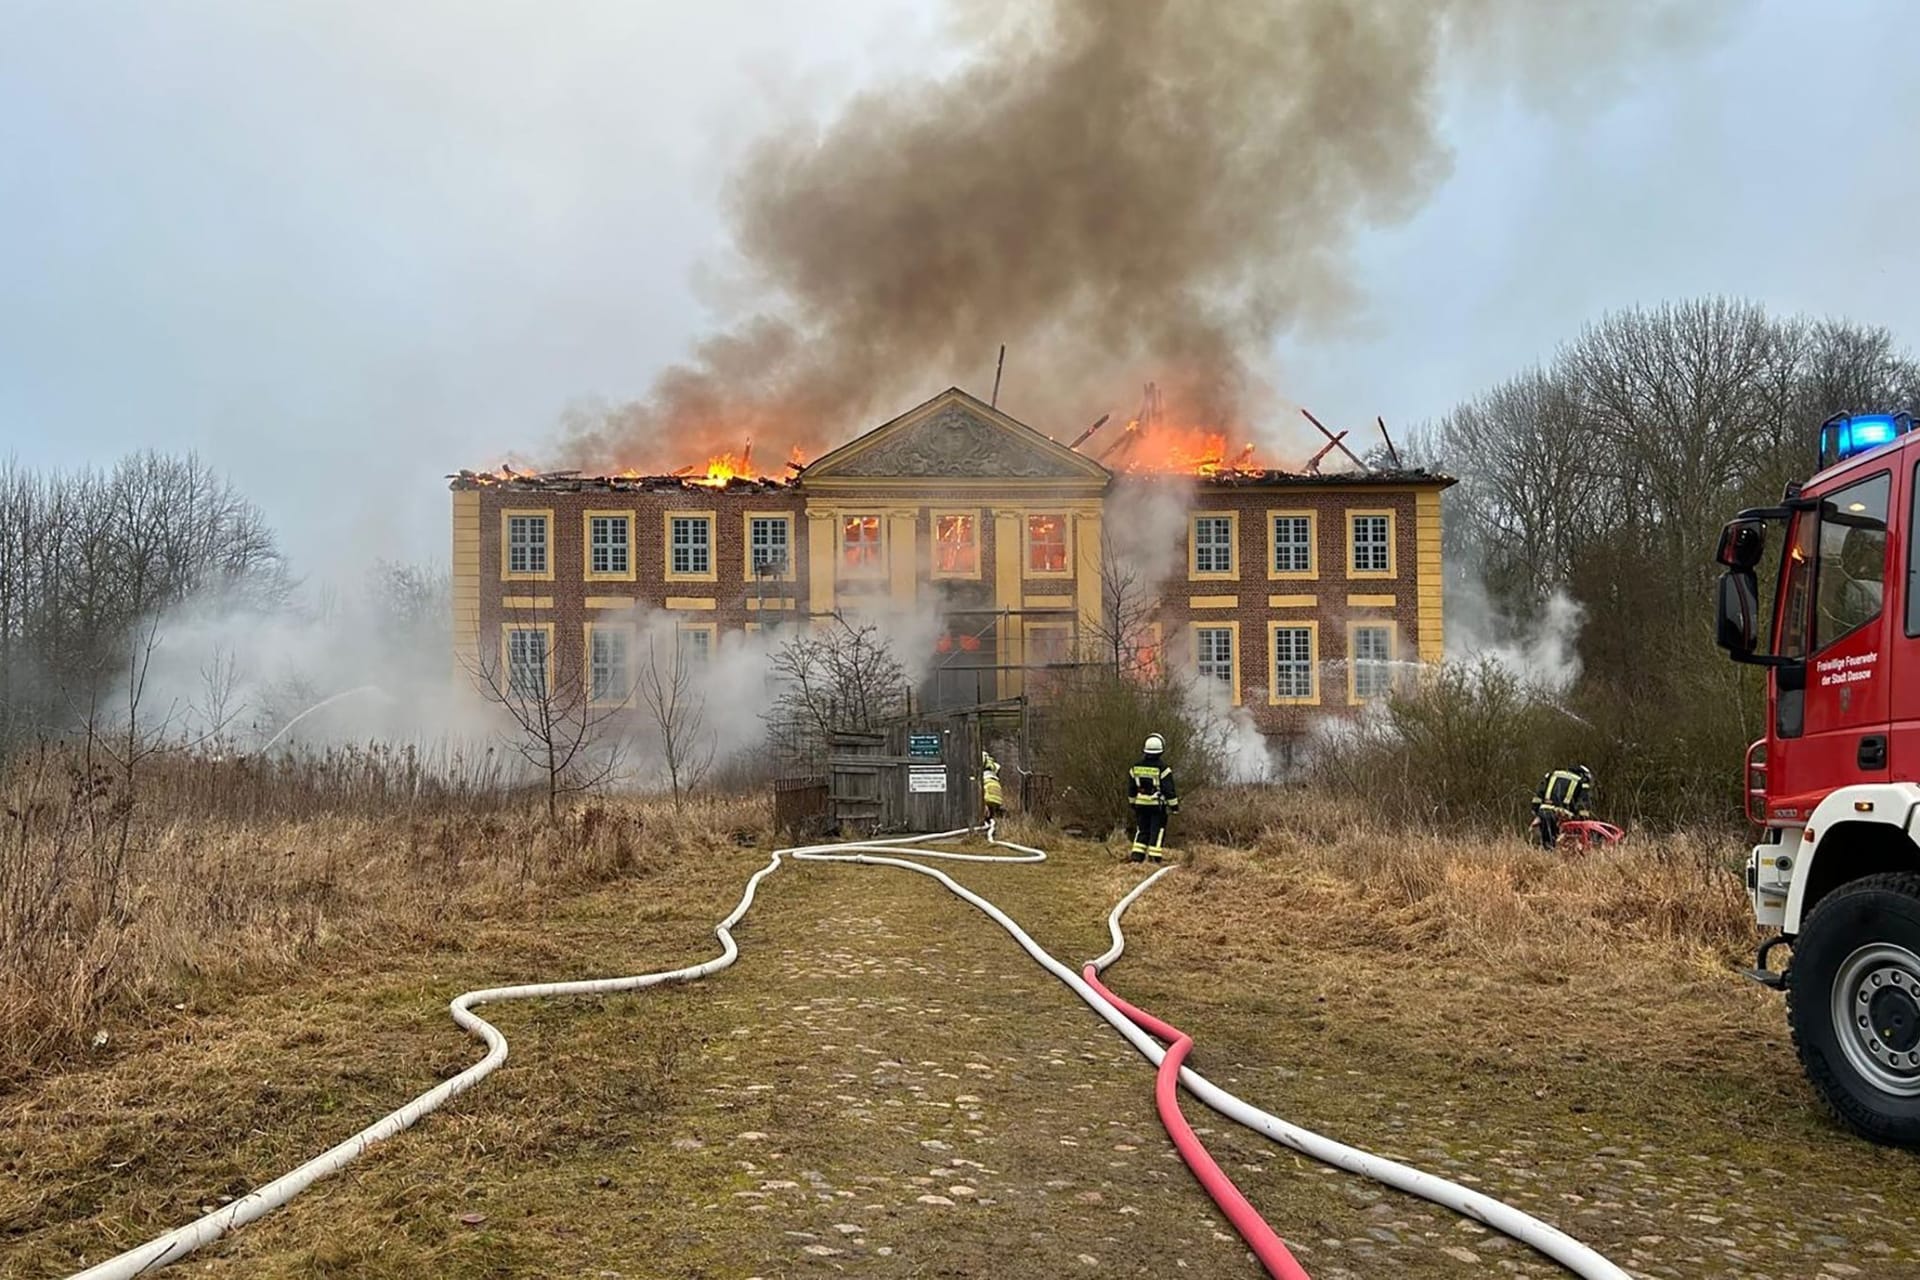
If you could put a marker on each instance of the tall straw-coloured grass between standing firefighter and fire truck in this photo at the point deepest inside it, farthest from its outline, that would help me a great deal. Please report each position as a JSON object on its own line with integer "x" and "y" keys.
{"x": 1499, "y": 932}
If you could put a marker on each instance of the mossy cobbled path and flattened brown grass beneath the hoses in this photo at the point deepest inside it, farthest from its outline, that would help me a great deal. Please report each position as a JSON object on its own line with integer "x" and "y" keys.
{"x": 888, "y": 1087}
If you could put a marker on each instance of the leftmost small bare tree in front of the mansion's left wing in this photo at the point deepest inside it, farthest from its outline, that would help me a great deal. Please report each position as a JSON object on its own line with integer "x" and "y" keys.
{"x": 558, "y": 726}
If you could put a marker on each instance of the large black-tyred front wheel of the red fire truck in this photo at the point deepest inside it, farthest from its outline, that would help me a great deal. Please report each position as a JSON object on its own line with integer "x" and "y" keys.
{"x": 1854, "y": 1005}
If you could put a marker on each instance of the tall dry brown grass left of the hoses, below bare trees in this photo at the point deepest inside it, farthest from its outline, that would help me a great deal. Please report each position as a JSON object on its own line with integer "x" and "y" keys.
{"x": 114, "y": 899}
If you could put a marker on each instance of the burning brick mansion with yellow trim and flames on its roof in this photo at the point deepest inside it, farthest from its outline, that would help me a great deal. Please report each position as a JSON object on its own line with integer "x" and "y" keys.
{"x": 1287, "y": 592}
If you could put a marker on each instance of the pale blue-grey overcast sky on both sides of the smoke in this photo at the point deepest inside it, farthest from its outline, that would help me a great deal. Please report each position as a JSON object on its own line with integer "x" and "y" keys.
{"x": 345, "y": 247}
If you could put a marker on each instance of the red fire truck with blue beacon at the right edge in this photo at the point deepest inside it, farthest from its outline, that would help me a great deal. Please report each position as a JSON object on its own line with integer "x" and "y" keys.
{"x": 1836, "y": 782}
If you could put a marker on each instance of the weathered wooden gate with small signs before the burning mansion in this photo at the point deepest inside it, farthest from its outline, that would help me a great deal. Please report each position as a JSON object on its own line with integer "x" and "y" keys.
{"x": 917, "y": 776}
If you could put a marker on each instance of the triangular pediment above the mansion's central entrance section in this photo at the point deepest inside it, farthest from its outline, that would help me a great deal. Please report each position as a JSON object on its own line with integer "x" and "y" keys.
{"x": 955, "y": 439}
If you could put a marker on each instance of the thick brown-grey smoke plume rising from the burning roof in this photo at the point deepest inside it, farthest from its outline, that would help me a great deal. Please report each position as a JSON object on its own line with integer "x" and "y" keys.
{"x": 1155, "y": 189}
